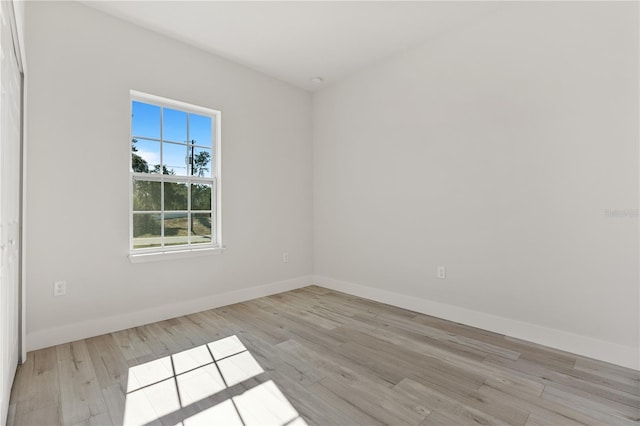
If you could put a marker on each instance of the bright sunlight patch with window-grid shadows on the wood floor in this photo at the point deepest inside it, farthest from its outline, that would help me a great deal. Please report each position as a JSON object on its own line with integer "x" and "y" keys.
{"x": 189, "y": 388}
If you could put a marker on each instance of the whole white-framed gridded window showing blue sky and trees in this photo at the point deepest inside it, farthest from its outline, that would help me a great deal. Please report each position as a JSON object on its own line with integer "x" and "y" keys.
{"x": 175, "y": 176}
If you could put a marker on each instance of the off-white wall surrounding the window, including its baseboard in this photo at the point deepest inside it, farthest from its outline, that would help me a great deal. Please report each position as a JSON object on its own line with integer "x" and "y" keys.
{"x": 82, "y": 65}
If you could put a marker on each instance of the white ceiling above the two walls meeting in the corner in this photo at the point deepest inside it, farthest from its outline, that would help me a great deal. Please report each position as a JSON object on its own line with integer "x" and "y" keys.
{"x": 297, "y": 40}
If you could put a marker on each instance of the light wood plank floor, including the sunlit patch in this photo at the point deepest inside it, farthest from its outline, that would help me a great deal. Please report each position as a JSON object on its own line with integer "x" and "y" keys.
{"x": 336, "y": 358}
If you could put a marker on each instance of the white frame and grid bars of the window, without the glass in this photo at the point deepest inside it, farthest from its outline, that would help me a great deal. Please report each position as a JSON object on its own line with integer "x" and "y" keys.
{"x": 181, "y": 251}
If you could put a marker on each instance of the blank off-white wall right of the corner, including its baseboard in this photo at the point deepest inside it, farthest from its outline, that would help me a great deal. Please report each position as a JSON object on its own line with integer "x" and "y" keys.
{"x": 495, "y": 150}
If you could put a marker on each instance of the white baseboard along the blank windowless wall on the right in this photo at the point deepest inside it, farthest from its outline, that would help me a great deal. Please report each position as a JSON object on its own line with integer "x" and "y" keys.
{"x": 614, "y": 353}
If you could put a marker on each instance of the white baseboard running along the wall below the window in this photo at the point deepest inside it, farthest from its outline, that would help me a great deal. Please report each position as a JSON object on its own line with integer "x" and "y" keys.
{"x": 95, "y": 327}
